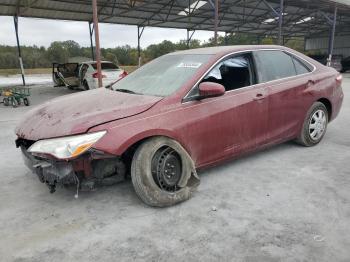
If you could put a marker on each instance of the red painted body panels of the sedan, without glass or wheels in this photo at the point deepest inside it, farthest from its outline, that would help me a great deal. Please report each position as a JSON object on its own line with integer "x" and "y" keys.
{"x": 211, "y": 129}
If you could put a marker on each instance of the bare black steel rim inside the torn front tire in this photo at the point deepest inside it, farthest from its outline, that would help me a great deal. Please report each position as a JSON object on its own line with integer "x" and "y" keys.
{"x": 166, "y": 169}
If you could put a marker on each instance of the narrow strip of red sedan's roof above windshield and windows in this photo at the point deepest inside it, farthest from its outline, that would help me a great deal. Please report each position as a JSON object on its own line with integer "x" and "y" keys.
{"x": 226, "y": 49}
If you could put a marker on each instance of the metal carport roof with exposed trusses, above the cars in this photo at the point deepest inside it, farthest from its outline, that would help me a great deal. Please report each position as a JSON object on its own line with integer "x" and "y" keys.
{"x": 301, "y": 17}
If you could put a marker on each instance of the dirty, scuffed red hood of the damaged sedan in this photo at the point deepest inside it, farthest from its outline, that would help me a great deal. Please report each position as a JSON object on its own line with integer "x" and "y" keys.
{"x": 76, "y": 113}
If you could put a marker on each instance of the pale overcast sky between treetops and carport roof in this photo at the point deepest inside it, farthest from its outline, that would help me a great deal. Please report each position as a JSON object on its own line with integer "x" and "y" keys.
{"x": 41, "y": 32}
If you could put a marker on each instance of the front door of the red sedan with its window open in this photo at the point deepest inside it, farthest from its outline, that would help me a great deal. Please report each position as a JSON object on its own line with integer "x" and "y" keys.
{"x": 236, "y": 122}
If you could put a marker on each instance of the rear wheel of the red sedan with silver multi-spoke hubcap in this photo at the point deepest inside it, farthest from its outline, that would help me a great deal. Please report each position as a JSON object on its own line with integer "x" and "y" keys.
{"x": 314, "y": 126}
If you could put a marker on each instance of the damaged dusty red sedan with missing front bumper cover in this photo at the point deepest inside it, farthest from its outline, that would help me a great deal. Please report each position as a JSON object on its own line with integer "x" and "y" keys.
{"x": 183, "y": 111}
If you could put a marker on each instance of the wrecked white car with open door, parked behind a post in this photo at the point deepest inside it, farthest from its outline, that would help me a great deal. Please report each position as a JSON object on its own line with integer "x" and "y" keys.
{"x": 84, "y": 75}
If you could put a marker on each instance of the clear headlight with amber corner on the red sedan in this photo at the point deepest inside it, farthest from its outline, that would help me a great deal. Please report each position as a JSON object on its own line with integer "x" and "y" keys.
{"x": 66, "y": 147}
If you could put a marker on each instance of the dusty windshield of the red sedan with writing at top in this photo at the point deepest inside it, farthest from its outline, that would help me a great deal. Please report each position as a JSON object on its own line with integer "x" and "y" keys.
{"x": 162, "y": 76}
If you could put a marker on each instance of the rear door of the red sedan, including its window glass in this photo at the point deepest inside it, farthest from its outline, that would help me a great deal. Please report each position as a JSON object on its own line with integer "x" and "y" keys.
{"x": 286, "y": 78}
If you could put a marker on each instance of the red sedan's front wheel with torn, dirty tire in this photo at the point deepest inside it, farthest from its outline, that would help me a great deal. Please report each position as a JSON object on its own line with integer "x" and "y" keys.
{"x": 163, "y": 173}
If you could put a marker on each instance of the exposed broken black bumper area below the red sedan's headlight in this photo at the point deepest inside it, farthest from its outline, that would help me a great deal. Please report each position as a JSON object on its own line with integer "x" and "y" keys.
{"x": 88, "y": 171}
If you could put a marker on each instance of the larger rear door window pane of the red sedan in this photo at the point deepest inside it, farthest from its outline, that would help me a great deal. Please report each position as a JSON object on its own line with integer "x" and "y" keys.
{"x": 273, "y": 64}
